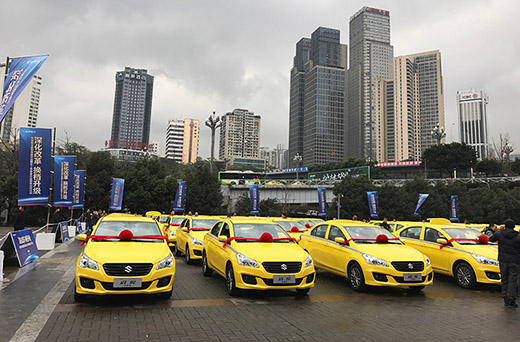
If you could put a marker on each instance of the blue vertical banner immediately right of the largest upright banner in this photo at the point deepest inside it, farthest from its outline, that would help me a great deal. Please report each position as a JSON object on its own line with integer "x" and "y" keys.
{"x": 63, "y": 180}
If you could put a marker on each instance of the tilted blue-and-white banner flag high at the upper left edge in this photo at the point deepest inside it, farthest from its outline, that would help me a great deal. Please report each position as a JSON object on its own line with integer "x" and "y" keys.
{"x": 20, "y": 73}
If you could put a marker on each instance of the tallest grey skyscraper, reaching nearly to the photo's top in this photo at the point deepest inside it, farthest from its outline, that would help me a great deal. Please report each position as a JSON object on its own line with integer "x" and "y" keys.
{"x": 370, "y": 59}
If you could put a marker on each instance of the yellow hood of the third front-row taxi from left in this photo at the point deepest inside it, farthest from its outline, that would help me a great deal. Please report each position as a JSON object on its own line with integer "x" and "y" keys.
{"x": 390, "y": 252}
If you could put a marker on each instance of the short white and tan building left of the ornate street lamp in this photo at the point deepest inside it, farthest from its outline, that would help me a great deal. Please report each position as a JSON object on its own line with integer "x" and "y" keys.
{"x": 182, "y": 140}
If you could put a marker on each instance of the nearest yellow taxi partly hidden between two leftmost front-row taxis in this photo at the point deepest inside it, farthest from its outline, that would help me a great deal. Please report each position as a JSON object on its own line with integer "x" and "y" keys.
{"x": 189, "y": 236}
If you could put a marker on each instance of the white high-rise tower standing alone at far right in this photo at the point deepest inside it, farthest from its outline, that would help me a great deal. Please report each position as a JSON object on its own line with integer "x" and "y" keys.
{"x": 472, "y": 108}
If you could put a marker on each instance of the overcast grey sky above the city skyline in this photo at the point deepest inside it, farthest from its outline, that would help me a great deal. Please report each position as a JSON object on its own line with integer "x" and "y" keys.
{"x": 220, "y": 55}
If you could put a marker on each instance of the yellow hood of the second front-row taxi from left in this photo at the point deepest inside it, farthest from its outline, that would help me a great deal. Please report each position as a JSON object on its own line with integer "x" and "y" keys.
{"x": 270, "y": 251}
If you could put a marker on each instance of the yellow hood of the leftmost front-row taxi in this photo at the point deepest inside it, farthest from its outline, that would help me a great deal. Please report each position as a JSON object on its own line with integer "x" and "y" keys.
{"x": 128, "y": 251}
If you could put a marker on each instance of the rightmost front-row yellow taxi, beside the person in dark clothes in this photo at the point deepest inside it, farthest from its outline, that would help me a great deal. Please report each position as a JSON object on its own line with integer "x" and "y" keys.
{"x": 459, "y": 252}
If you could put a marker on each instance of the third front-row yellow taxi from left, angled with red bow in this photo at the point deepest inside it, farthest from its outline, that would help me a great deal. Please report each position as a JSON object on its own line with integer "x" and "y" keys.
{"x": 366, "y": 255}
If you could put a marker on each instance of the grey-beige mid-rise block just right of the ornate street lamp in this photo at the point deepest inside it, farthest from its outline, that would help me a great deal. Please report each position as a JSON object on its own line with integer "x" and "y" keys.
{"x": 239, "y": 135}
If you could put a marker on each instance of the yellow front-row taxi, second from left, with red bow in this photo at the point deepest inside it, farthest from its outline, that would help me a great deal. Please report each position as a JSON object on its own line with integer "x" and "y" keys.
{"x": 258, "y": 255}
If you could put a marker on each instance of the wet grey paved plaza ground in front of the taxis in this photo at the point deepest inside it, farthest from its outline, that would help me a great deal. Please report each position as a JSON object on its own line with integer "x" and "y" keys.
{"x": 37, "y": 304}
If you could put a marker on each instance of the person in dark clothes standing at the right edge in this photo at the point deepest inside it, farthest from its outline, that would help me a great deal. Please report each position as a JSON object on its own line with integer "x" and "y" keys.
{"x": 509, "y": 258}
